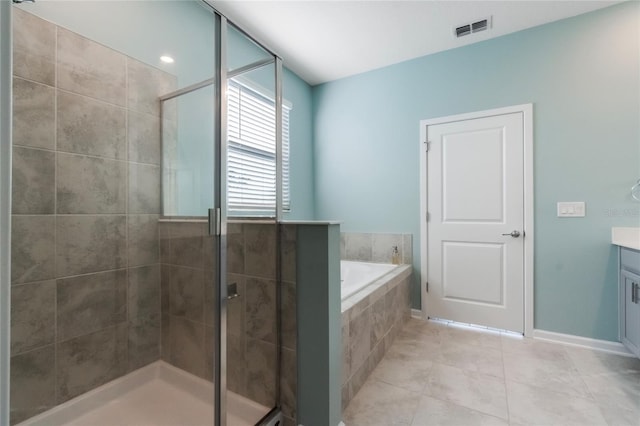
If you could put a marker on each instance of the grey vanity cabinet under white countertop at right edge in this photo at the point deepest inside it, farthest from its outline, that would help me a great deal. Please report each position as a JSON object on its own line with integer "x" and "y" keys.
{"x": 630, "y": 299}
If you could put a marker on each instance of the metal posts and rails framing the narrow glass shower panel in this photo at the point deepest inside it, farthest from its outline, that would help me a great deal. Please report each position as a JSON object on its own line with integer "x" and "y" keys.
{"x": 219, "y": 212}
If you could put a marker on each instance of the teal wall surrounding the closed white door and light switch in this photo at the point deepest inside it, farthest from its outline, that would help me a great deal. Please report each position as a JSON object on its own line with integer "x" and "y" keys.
{"x": 582, "y": 76}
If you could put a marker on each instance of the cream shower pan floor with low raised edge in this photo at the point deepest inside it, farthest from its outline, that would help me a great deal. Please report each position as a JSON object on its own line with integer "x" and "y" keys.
{"x": 155, "y": 395}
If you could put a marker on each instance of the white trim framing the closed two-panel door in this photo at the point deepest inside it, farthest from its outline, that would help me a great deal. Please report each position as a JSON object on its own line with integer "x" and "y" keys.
{"x": 527, "y": 112}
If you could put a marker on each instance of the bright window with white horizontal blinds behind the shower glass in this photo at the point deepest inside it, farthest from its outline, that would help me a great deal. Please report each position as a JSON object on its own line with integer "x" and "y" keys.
{"x": 251, "y": 184}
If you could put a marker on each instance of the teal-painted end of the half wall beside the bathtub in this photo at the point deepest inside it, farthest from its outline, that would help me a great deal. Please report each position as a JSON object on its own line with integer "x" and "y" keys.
{"x": 319, "y": 325}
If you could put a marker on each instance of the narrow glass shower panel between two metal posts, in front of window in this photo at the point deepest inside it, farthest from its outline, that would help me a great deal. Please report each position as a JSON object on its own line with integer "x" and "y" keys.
{"x": 251, "y": 228}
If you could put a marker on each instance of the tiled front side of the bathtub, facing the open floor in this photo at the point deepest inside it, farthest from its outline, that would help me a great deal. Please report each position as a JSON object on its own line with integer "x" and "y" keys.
{"x": 371, "y": 319}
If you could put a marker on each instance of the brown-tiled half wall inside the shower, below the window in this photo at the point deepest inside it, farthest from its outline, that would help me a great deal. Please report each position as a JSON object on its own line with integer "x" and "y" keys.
{"x": 188, "y": 306}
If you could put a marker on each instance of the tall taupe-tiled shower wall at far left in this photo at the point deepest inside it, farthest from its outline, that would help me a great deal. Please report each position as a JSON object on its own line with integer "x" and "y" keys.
{"x": 85, "y": 302}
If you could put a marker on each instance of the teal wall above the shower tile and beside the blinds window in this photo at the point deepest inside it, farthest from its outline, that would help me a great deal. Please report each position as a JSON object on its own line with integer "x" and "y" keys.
{"x": 185, "y": 29}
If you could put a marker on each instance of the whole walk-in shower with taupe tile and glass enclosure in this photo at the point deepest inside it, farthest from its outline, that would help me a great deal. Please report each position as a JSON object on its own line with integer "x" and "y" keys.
{"x": 146, "y": 198}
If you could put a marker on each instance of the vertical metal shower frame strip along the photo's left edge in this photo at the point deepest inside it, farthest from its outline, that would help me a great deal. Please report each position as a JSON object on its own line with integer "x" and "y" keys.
{"x": 6, "y": 48}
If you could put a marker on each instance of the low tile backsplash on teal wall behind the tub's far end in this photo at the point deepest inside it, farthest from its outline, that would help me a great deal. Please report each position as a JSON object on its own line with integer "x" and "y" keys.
{"x": 377, "y": 248}
